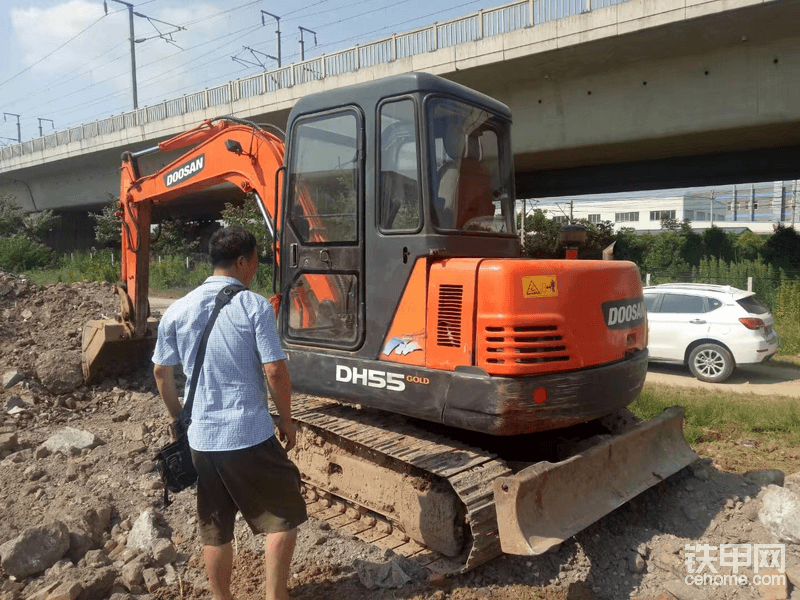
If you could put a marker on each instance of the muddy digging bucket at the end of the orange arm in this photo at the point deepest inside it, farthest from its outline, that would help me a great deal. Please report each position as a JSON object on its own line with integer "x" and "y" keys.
{"x": 107, "y": 348}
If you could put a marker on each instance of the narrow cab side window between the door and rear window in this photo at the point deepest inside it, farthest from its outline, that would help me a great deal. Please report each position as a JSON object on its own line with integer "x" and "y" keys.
{"x": 400, "y": 197}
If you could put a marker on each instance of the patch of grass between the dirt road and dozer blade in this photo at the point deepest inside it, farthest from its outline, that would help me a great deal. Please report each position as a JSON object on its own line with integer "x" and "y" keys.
{"x": 740, "y": 432}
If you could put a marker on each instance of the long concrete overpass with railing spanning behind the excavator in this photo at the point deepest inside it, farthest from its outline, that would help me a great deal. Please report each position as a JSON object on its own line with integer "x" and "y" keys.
{"x": 643, "y": 94}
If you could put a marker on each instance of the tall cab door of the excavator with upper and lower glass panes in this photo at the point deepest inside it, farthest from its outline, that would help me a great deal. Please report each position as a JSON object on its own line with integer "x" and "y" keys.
{"x": 322, "y": 248}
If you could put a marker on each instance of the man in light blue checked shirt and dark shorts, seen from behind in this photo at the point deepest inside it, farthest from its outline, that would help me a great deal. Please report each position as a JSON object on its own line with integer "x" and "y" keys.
{"x": 240, "y": 464}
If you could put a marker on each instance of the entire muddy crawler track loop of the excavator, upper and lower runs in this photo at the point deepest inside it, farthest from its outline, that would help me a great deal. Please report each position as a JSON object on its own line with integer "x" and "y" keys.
{"x": 397, "y": 444}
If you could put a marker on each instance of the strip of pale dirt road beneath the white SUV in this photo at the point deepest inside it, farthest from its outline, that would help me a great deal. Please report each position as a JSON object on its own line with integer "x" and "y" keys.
{"x": 765, "y": 379}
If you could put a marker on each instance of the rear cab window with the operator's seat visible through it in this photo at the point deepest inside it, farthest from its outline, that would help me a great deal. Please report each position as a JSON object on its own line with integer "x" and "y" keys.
{"x": 470, "y": 167}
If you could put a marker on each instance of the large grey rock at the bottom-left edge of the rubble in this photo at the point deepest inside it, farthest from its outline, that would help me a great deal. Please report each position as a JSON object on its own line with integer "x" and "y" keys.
{"x": 35, "y": 549}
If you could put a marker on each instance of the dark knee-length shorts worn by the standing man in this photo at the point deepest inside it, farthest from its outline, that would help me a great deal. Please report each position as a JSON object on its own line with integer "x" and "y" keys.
{"x": 260, "y": 482}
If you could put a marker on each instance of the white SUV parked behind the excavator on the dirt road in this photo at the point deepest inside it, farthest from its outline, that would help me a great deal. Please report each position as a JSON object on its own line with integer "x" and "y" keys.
{"x": 711, "y": 328}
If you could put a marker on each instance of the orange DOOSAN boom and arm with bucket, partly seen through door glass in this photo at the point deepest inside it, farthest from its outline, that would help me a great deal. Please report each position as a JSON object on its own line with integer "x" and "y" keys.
{"x": 222, "y": 151}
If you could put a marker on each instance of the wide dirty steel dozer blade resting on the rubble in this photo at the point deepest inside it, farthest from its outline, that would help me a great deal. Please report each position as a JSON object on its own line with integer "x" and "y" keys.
{"x": 546, "y": 503}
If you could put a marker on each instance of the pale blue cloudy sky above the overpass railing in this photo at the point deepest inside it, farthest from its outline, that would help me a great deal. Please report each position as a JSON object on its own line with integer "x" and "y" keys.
{"x": 69, "y": 62}
